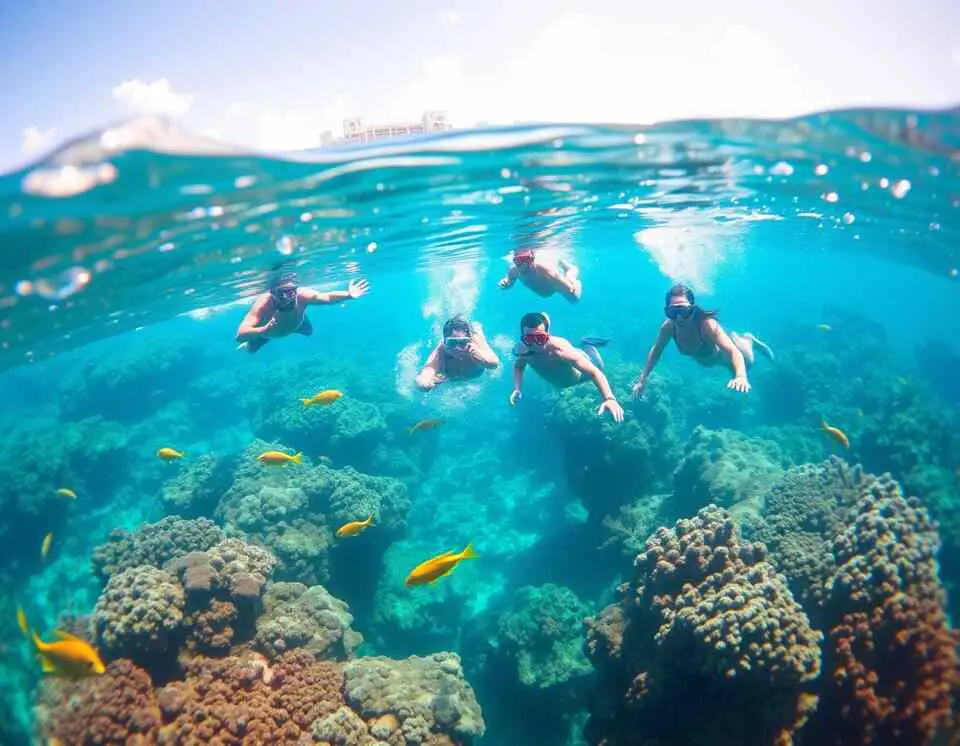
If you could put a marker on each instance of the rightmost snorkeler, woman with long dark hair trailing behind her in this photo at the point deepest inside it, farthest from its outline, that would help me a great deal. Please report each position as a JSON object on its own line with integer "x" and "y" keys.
{"x": 699, "y": 335}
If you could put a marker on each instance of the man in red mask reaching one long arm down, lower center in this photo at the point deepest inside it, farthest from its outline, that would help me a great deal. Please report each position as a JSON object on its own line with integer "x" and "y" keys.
{"x": 558, "y": 362}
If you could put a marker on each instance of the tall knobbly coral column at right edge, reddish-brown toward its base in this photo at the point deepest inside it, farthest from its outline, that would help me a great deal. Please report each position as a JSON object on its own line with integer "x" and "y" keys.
{"x": 892, "y": 658}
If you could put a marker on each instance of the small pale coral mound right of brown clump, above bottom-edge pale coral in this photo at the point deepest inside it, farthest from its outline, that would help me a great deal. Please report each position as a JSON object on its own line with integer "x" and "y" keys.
{"x": 310, "y": 618}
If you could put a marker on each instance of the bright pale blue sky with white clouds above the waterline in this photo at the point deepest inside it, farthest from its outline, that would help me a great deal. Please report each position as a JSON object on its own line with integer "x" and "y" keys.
{"x": 273, "y": 75}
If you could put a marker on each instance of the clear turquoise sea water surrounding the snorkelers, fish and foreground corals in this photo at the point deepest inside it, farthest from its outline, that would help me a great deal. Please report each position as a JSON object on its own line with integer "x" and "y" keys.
{"x": 130, "y": 258}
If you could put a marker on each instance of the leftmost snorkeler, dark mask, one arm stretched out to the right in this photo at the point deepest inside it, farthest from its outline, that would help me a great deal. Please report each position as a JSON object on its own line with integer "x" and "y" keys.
{"x": 282, "y": 310}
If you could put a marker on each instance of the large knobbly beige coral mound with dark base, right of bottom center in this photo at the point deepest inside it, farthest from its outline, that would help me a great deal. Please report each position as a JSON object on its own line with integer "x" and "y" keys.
{"x": 704, "y": 613}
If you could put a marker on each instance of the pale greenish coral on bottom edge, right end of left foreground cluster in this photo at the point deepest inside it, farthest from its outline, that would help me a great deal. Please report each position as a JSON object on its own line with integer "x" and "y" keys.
{"x": 428, "y": 697}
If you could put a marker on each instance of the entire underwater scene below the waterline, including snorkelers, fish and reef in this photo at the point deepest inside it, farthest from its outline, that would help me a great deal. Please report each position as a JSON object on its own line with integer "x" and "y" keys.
{"x": 525, "y": 436}
